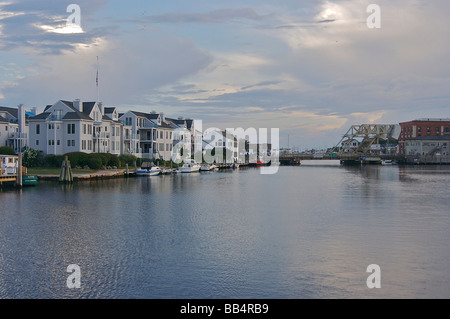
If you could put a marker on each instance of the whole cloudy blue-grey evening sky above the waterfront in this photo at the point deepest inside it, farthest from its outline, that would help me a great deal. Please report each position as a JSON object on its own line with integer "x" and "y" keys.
{"x": 310, "y": 68}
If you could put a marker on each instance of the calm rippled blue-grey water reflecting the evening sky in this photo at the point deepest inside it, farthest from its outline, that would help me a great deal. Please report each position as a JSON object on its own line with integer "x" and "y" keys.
{"x": 306, "y": 232}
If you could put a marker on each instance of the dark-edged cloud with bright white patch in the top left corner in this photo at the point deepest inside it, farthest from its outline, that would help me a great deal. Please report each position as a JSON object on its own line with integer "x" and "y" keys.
{"x": 42, "y": 25}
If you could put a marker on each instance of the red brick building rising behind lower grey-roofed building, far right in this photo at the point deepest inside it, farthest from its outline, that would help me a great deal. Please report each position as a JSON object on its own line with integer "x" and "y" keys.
{"x": 420, "y": 128}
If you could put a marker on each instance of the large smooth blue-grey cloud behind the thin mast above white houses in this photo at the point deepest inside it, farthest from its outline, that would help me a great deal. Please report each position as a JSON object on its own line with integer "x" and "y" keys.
{"x": 129, "y": 69}
